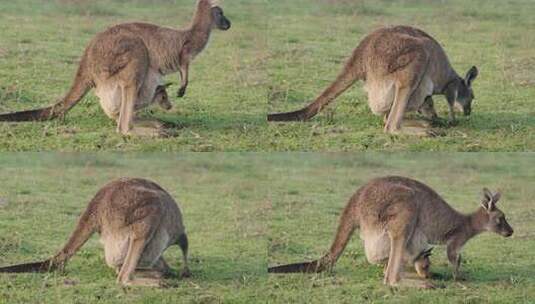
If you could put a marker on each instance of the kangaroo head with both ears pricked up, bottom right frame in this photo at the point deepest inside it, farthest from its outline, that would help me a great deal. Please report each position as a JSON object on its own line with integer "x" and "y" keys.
{"x": 496, "y": 218}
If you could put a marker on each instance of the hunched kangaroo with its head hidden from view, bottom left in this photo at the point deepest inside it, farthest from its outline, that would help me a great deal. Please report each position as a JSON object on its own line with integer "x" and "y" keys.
{"x": 137, "y": 221}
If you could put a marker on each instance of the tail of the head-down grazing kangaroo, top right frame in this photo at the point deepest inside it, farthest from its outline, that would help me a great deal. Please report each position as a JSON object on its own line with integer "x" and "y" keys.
{"x": 344, "y": 80}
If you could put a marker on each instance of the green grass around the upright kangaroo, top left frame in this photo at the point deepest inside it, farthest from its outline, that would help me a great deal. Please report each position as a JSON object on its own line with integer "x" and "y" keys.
{"x": 40, "y": 45}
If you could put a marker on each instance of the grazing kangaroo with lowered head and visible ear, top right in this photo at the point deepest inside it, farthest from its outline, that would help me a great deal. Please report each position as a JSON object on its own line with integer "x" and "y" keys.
{"x": 403, "y": 67}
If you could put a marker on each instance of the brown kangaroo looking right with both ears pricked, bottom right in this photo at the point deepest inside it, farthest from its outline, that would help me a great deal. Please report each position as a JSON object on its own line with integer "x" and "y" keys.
{"x": 399, "y": 218}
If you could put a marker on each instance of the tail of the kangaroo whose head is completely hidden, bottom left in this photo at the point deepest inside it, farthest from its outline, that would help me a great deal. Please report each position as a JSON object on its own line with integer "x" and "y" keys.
{"x": 84, "y": 229}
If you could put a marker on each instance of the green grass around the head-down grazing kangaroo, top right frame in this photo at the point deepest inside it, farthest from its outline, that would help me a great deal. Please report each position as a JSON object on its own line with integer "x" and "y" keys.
{"x": 310, "y": 39}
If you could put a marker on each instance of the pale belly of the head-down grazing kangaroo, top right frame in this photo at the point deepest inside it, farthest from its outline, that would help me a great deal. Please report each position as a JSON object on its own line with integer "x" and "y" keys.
{"x": 381, "y": 94}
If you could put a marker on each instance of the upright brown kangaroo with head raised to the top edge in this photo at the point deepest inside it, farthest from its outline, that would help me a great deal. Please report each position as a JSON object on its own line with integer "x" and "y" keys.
{"x": 126, "y": 63}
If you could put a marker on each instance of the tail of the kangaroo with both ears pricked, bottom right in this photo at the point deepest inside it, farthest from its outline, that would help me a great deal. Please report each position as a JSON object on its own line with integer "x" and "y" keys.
{"x": 347, "y": 226}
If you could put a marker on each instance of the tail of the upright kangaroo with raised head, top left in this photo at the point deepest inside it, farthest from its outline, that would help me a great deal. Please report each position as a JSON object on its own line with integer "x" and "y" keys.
{"x": 82, "y": 84}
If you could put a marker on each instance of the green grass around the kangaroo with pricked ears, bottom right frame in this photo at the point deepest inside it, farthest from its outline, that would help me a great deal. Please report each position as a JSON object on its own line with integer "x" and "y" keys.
{"x": 308, "y": 192}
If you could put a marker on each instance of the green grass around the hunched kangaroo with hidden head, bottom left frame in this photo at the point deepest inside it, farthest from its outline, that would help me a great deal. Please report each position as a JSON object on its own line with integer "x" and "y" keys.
{"x": 225, "y": 212}
